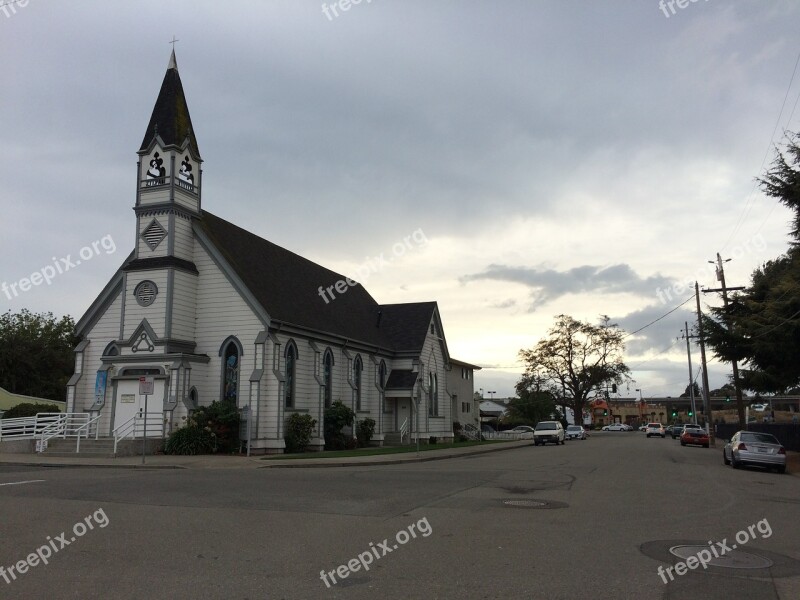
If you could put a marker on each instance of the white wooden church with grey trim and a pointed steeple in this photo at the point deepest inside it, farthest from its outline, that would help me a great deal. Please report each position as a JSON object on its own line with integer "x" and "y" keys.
{"x": 211, "y": 311}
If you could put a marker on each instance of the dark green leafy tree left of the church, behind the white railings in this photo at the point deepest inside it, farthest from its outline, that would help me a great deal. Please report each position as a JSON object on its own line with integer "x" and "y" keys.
{"x": 36, "y": 354}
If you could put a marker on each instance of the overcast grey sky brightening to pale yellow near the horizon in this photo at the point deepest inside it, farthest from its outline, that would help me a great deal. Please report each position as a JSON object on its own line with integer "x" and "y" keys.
{"x": 558, "y": 156}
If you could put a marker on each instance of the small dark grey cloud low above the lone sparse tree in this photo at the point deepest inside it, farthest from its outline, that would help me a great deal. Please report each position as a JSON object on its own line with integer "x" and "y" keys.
{"x": 549, "y": 284}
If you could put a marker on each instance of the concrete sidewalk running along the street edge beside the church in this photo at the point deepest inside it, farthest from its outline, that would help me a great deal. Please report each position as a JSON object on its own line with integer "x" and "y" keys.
{"x": 161, "y": 461}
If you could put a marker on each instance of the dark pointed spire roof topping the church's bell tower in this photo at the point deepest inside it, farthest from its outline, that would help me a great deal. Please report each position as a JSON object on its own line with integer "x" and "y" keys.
{"x": 171, "y": 113}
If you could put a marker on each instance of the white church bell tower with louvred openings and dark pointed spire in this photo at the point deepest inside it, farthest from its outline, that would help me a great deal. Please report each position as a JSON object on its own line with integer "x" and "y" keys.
{"x": 160, "y": 280}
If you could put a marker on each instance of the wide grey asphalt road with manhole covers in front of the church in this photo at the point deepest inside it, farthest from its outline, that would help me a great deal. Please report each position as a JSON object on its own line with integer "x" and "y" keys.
{"x": 603, "y": 515}
